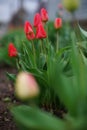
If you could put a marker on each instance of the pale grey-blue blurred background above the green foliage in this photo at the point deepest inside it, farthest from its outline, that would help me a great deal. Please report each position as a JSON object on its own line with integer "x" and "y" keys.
{"x": 13, "y": 13}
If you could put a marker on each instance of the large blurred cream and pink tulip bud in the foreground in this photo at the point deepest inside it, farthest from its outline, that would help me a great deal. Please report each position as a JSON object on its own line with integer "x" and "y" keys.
{"x": 26, "y": 86}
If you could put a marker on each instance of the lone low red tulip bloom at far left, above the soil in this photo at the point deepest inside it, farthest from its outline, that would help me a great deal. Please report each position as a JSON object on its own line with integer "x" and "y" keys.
{"x": 12, "y": 51}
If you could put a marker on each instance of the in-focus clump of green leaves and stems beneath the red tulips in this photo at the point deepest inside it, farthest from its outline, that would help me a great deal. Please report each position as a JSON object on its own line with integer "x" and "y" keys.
{"x": 37, "y": 57}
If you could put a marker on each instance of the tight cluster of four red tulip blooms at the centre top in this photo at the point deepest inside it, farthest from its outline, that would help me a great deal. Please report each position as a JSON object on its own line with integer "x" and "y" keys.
{"x": 38, "y": 24}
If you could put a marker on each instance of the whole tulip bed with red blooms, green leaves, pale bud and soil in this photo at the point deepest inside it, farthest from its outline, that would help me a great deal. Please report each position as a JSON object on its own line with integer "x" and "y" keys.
{"x": 50, "y": 78}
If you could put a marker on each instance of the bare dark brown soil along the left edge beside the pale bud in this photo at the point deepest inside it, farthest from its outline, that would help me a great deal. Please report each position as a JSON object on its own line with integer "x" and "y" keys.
{"x": 6, "y": 100}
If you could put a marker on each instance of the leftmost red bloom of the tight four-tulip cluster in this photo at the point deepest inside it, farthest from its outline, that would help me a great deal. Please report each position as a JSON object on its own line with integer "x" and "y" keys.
{"x": 29, "y": 31}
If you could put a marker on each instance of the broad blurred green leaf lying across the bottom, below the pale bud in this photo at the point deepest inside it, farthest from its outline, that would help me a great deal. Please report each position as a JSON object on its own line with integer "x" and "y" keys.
{"x": 34, "y": 119}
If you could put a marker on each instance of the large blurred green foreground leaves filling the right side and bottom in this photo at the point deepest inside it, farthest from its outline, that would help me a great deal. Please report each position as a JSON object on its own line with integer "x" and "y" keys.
{"x": 72, "y": 91}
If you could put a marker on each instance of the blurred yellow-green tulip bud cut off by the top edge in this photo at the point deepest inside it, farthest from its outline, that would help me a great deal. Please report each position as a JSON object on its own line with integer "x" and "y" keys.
{"x": 71, "y": 5}
